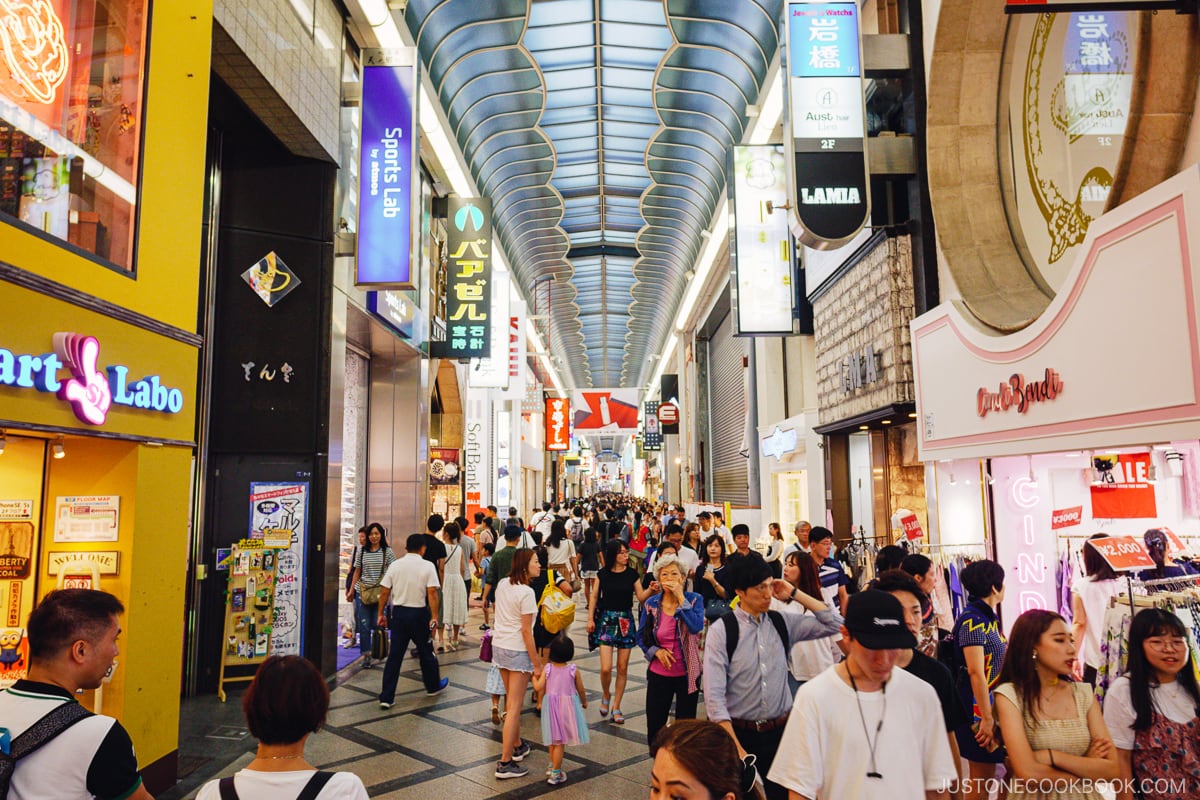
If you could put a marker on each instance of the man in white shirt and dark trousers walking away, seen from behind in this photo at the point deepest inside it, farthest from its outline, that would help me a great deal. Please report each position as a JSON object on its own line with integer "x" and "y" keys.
{"x": 411, "y": 582}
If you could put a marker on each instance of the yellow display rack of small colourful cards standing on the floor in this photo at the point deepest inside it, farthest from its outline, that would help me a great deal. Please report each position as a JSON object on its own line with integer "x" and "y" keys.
{"x": 250, "y": 610}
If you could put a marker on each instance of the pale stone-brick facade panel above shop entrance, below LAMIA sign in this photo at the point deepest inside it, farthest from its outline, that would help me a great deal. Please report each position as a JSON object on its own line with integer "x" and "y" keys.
{"x": 872, "y": 305}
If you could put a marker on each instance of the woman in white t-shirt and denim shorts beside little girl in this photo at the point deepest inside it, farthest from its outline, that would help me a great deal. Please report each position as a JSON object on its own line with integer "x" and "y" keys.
{"x": 517, "y": 655}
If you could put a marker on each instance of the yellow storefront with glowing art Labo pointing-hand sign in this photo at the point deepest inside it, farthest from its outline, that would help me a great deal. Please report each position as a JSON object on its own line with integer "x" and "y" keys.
{"x": 101, "y": 183}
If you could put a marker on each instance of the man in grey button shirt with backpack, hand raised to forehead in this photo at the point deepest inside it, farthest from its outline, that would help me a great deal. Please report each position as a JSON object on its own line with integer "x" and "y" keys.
{"x": 746, "y": 661}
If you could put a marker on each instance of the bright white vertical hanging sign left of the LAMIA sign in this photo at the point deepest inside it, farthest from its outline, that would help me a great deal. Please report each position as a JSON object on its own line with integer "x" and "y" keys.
{"x": 763, "y": 281}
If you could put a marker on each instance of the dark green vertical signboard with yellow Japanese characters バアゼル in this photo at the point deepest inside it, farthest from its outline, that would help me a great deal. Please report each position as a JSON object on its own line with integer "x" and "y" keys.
{"x": 470, "y": 279}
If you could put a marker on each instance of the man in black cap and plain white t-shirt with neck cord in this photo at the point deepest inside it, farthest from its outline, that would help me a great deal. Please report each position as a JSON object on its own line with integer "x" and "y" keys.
{"x": 863, "y": 730}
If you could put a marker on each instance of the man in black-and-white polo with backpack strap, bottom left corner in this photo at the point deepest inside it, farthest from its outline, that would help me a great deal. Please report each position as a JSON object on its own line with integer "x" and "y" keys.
{"x": 52, "y": 747}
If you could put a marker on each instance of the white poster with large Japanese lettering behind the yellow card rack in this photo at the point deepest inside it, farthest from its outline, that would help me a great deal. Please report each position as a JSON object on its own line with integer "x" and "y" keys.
{"x": 274, "y": 509}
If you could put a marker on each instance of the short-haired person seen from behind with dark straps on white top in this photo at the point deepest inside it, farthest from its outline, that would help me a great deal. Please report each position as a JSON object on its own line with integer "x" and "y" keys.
{"x": 286, "y": 702}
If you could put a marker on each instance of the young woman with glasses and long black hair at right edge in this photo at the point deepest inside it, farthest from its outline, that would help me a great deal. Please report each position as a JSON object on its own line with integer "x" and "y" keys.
{"x": 1154, "y": 711}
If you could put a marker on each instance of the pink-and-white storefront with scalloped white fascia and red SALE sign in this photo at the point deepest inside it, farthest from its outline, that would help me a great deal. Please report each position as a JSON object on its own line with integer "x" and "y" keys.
{"x": 1077, "y": 424}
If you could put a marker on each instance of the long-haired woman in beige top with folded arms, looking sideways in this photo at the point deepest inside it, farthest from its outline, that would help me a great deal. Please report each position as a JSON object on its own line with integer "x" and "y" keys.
{"x": 1053, "y": 727}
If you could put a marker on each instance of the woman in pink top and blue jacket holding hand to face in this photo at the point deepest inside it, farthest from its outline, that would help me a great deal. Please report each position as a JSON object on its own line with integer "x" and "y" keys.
{"x": 670, "y": 636}
